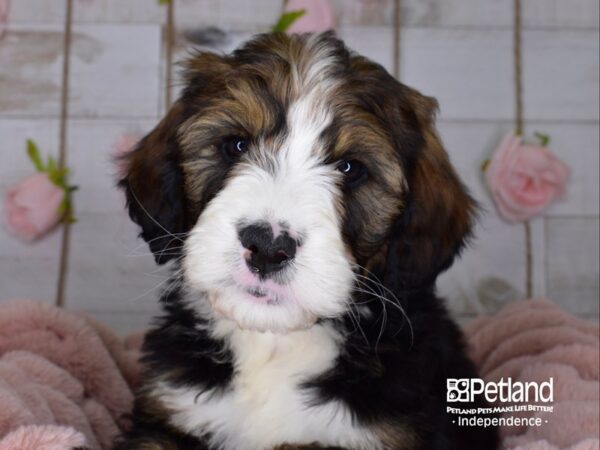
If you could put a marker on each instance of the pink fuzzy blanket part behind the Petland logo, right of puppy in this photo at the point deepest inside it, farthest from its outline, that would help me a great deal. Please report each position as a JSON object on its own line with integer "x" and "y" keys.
{"x": 533, "y": 340}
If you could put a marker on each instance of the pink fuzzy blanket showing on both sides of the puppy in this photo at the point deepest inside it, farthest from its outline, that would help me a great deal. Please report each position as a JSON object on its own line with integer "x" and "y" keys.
{"x": 66, "y": 381}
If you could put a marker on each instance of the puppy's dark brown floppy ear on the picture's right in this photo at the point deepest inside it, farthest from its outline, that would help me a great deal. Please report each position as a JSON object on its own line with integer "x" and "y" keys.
{"x": 438, "y": 213}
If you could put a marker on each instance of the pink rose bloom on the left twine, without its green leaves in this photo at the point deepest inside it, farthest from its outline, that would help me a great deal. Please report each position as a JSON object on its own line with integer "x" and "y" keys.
{"x": 32, "y": 206}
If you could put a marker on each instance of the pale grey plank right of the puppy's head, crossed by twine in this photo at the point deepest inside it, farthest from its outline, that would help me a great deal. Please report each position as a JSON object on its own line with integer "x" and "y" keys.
{"x": 470, "y": 72}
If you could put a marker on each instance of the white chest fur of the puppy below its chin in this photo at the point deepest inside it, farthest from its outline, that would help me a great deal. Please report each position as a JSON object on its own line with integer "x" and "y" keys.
{"x": 265, "y": 404}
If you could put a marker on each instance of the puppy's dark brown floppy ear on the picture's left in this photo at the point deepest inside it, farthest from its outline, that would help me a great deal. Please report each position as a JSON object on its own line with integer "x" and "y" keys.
{"x": 153, "y": 185}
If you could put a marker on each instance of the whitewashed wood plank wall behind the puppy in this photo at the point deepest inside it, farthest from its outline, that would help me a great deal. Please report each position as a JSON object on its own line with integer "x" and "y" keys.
{"x": 459, "y": 51}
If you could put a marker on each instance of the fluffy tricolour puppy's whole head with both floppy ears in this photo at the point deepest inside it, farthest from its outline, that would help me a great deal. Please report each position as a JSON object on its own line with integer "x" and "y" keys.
{"x": 287, "y": 169}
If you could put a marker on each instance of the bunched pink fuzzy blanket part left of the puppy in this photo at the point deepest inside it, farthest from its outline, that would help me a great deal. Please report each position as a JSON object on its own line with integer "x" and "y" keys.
{"x": 61, "y": 370}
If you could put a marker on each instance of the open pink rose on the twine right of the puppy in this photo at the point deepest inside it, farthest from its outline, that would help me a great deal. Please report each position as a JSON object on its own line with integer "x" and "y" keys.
{"x": 524, "y": 179}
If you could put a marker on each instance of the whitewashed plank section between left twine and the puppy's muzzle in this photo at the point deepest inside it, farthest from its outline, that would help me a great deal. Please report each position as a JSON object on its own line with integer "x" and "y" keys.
{"x": 110, "y": 268}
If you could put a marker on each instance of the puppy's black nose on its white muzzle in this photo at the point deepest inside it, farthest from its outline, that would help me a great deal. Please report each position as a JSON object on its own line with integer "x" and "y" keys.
{"x": 268, "y": 254}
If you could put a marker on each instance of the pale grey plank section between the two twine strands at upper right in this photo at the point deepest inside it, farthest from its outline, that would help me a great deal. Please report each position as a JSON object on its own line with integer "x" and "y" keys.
{"x": 469, "y": 71}
